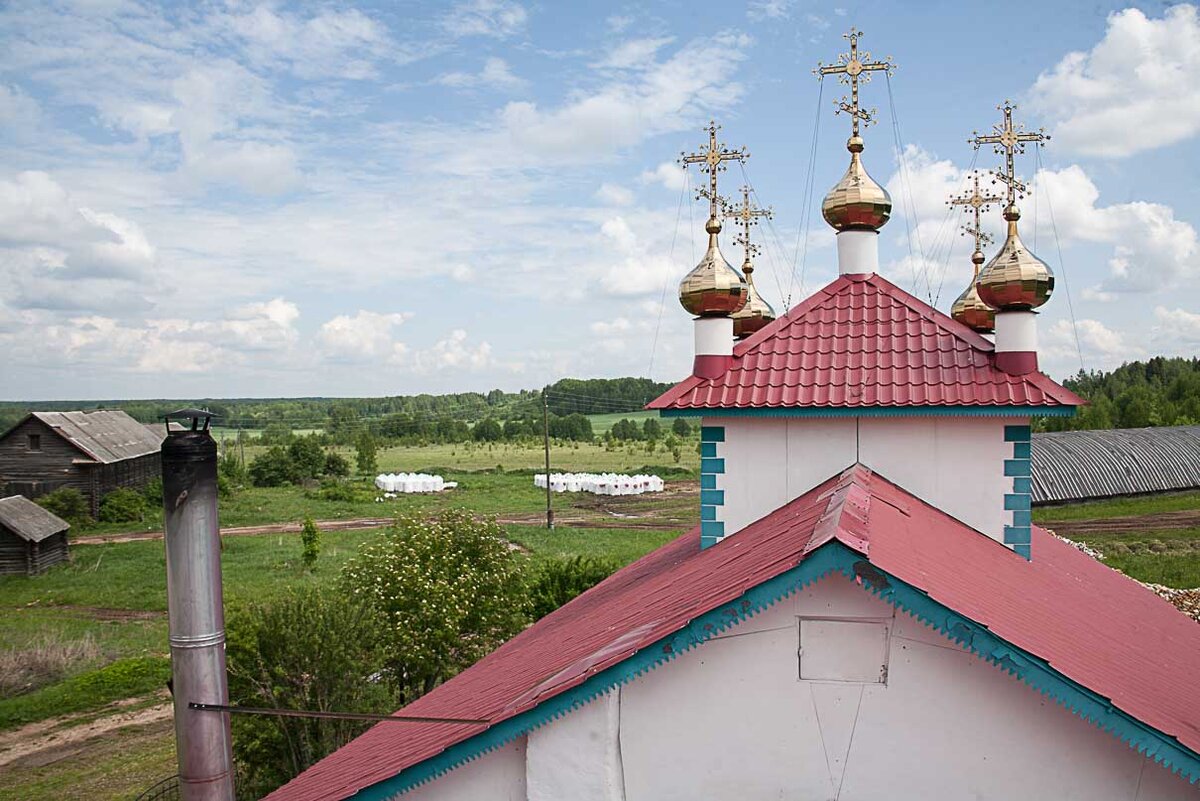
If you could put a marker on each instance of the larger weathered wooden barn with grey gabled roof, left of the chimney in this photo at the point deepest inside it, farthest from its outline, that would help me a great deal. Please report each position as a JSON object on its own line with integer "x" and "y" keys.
{"x": 93, "y": 451}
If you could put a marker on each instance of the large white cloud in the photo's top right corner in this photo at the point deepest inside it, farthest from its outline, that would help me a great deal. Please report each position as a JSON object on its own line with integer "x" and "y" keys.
{"x": 1138, "y": 89}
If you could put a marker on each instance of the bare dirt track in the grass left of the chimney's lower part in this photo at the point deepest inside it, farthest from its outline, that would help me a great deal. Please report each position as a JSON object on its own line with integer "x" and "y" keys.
{"x": 47, "y": 742}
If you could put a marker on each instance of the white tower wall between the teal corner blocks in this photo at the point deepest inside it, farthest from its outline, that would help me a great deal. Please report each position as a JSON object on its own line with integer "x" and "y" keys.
{"x": 955, "y": 463}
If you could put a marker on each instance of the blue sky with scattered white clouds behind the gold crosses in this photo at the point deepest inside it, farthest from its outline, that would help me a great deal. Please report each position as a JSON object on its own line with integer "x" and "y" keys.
{"x": 263, "y": 200}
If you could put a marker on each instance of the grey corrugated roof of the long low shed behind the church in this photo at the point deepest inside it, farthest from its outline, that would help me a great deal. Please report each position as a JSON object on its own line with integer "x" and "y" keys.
{"x": 1077, "y": 466}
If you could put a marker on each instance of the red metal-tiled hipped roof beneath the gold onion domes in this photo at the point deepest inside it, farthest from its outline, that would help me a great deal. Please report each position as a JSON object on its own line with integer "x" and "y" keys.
{"x": 865, "y": 342}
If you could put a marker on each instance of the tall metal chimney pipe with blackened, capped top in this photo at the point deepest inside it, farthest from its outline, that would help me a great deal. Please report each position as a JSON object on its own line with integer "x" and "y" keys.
{"x": 196, "y": 611}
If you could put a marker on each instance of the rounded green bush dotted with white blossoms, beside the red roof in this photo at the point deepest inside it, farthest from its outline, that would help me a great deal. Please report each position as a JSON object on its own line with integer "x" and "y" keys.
{"x": 449, "y": 589}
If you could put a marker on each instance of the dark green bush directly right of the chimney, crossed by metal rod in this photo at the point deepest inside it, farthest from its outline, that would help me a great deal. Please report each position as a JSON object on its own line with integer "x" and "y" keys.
{"x": 310, "y": 649}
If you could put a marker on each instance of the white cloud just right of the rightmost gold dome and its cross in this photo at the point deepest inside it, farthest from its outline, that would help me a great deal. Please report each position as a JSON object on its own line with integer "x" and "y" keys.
{"x": 1151, "y": 249}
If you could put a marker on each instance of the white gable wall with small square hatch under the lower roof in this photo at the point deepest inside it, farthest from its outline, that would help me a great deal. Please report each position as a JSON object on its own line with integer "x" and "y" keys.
{"x": 734, "y": 720}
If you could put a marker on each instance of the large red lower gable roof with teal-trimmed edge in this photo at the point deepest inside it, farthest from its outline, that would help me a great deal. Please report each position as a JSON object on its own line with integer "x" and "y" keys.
{"x": 1091, "y": 624}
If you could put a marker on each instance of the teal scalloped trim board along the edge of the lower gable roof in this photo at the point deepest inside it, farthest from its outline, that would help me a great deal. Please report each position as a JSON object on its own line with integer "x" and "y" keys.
{"x": 831, "y": 558}
